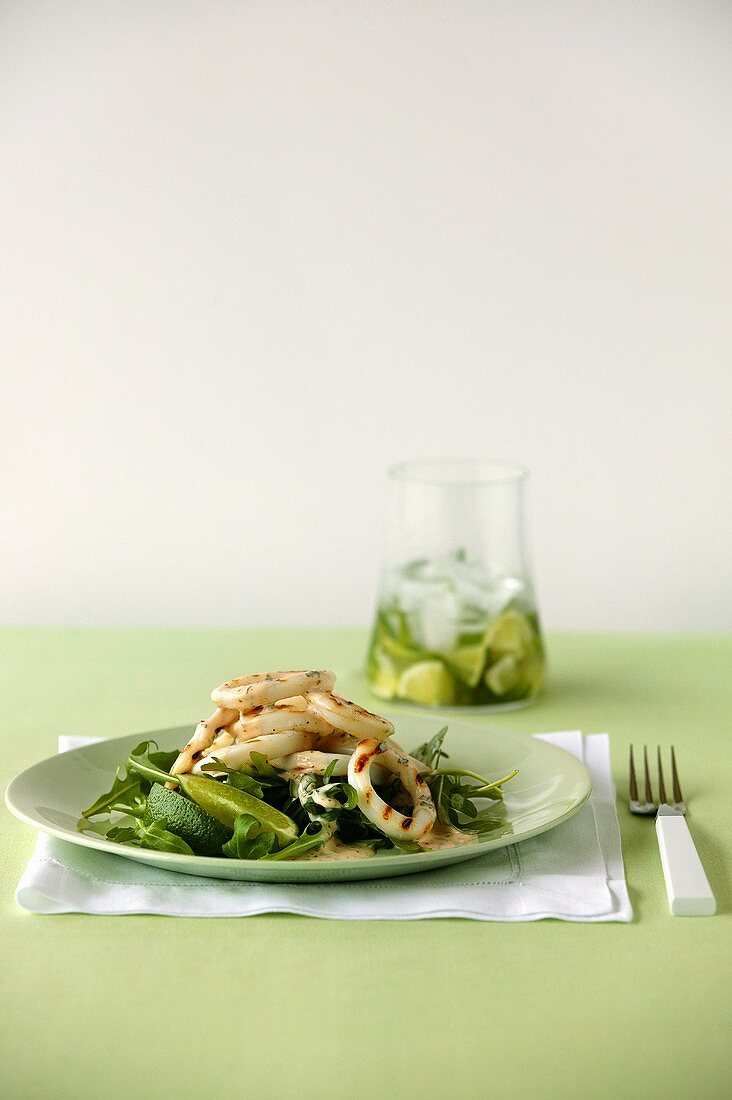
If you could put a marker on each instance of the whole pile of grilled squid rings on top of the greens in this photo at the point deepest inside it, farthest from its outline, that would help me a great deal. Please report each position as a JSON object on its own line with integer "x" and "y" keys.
{"x": 301, "y": 727}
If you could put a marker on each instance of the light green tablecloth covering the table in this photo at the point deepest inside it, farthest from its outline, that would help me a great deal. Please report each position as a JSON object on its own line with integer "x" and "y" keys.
{"x": 279, "y": 1007}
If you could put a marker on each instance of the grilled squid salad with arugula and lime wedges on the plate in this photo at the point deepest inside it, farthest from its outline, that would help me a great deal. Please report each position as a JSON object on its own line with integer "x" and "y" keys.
{"x": 287, "y": 769}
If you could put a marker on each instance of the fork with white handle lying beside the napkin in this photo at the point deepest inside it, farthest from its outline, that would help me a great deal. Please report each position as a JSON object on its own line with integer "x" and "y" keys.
{"x": 687, "y": 887}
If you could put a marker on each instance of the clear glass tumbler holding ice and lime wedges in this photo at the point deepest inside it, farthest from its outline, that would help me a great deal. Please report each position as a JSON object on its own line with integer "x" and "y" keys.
{"x": 456, "y": 622}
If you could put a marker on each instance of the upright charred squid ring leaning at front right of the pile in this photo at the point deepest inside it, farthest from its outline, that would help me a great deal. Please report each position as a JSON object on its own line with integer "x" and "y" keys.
{"x": 388, "y": 820}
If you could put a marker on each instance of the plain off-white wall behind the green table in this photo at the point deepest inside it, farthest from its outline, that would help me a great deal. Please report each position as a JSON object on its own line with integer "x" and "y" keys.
{"x": 254, "y": 252}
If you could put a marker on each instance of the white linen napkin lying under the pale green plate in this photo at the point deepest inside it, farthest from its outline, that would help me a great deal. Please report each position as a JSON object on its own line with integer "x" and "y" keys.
{"x": 574, "y": 873}
